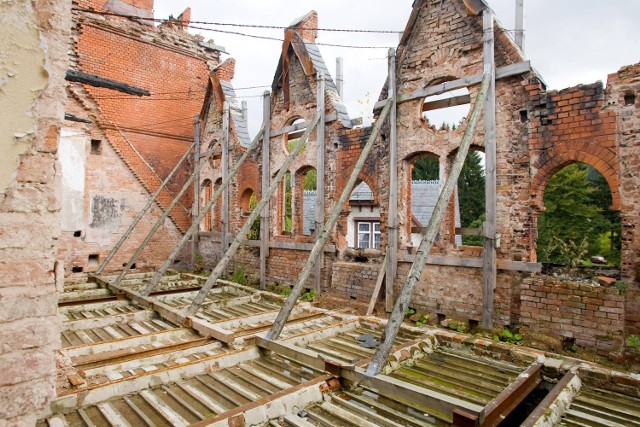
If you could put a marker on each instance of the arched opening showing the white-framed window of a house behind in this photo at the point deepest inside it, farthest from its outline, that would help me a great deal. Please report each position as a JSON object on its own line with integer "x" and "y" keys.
{"x": 363, "y": 223}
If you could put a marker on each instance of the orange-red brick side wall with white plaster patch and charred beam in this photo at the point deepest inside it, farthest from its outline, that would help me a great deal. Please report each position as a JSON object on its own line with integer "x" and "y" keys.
{"x": 131, "y": 143}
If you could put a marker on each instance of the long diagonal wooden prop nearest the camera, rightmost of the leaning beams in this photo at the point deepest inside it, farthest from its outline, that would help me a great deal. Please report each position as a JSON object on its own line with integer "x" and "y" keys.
{"x": 402, "y": 302}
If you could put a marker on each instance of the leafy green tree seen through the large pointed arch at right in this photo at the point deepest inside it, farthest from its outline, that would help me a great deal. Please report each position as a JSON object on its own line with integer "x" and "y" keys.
{"x": 571, "y": 215}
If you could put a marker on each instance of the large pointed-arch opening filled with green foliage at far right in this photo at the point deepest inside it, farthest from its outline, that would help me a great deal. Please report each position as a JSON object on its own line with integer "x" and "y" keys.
{"x": 578, "y": 226}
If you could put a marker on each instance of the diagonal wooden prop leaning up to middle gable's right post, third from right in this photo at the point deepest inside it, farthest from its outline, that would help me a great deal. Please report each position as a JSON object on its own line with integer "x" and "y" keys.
{"x": 217, "y": 271}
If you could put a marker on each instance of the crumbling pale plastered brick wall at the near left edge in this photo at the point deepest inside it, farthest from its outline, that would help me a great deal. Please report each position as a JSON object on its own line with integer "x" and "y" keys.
{"x": 33, "y": 44}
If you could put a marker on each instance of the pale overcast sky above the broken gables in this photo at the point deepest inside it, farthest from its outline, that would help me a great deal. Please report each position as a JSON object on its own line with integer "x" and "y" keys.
{"x": 568, "y": 41}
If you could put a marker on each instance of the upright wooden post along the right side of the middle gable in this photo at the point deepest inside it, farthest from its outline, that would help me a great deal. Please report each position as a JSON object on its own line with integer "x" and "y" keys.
{"x": 319, "y": 211}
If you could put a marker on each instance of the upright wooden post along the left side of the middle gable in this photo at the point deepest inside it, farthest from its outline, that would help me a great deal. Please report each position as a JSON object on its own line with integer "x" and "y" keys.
{"x": 265, "y": 216}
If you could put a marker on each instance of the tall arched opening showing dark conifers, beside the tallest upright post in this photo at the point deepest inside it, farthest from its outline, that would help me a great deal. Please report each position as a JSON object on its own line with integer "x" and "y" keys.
{"x": 470, "y": 214}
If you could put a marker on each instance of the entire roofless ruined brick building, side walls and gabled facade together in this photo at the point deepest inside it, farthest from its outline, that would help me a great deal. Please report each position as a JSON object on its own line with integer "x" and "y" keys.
{"x": 75, "y": 185}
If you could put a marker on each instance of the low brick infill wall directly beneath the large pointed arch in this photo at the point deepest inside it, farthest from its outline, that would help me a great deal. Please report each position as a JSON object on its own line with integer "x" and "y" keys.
{"x": 592, "y": 315}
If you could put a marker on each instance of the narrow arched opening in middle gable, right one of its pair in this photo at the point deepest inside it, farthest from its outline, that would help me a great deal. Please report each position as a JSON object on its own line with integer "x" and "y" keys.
{"x": 305, "y": 200}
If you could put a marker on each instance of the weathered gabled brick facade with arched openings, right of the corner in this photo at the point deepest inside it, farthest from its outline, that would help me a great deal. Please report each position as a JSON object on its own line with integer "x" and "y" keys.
{"x": 538, "y": 131}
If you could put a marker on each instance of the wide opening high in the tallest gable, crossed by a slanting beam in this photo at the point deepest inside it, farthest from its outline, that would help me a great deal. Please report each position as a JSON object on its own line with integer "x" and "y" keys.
{"x": 448, "y": 110}
